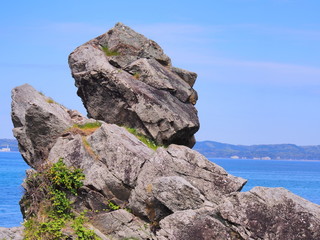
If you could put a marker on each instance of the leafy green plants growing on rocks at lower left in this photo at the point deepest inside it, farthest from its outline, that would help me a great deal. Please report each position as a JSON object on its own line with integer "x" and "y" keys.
{"x": 49, "y": 211}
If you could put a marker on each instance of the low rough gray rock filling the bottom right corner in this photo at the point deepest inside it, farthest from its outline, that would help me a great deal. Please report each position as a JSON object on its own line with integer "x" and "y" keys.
{"x": 261, "y": 213}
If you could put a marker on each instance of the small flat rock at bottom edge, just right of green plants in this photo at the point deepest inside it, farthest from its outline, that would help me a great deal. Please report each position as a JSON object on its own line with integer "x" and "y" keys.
{"x": 121, "y": 224}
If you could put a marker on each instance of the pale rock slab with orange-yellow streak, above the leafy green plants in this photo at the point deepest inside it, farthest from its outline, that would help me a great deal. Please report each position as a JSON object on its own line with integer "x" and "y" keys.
{"x": 111, "y": 158}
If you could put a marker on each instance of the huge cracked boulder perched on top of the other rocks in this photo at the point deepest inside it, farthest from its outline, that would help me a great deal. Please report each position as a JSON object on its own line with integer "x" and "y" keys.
{"x": 125, "y": 78}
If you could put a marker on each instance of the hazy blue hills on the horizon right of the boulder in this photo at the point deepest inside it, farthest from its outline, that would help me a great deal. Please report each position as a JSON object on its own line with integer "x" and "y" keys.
{"x": 213, "y": 149}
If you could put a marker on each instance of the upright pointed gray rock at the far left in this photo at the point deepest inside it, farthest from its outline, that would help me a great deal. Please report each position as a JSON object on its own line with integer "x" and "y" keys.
{"x": 38, "y": 121}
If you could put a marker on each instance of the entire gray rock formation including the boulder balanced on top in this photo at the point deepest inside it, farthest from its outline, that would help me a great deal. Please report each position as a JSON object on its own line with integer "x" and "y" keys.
{"x": 170, "y": 193}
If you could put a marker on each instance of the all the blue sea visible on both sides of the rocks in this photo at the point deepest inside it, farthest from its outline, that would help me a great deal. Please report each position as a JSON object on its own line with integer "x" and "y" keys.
{"x": 300, "y": 177}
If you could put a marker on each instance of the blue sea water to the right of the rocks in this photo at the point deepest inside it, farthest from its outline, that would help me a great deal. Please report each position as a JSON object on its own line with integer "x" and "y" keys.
{"x": 299, "y": 177}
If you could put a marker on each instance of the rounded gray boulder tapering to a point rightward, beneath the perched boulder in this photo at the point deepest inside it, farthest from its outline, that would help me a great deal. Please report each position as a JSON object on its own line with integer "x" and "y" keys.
{"x": 198, "y": 182}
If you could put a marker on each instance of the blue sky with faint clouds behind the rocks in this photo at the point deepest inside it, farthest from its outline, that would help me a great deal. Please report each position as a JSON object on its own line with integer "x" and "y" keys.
{"x": 257, "y": 60}
